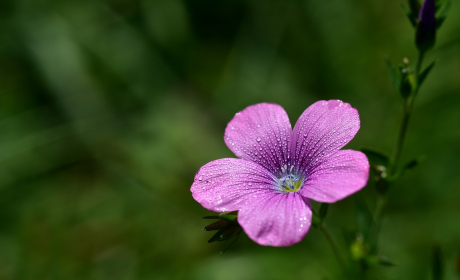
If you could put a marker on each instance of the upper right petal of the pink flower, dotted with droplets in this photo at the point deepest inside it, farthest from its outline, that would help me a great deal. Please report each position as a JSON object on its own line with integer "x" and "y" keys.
{"x": 322, "y": 129}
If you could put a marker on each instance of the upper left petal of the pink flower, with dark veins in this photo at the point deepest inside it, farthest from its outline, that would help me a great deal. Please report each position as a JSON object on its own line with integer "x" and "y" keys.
{"x": 261, "y": 133}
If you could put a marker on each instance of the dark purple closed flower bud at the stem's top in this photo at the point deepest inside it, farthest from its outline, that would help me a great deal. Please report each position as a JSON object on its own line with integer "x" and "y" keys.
{"x": 425, "y": 36}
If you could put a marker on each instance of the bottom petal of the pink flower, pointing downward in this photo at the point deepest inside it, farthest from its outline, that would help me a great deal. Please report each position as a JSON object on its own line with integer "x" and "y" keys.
{"x": 276, "y": 219}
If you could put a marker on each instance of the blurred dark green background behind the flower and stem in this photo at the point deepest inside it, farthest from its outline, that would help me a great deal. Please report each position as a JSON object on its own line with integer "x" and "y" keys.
{"x": 108, "y": 109}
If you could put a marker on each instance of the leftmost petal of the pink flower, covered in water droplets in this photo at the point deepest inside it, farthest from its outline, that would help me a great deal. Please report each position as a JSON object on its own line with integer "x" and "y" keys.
{"x": 226, "y": 184}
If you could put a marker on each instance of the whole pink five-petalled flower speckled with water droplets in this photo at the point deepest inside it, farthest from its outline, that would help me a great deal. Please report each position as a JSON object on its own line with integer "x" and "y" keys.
{"x": 280, "y": 169}
